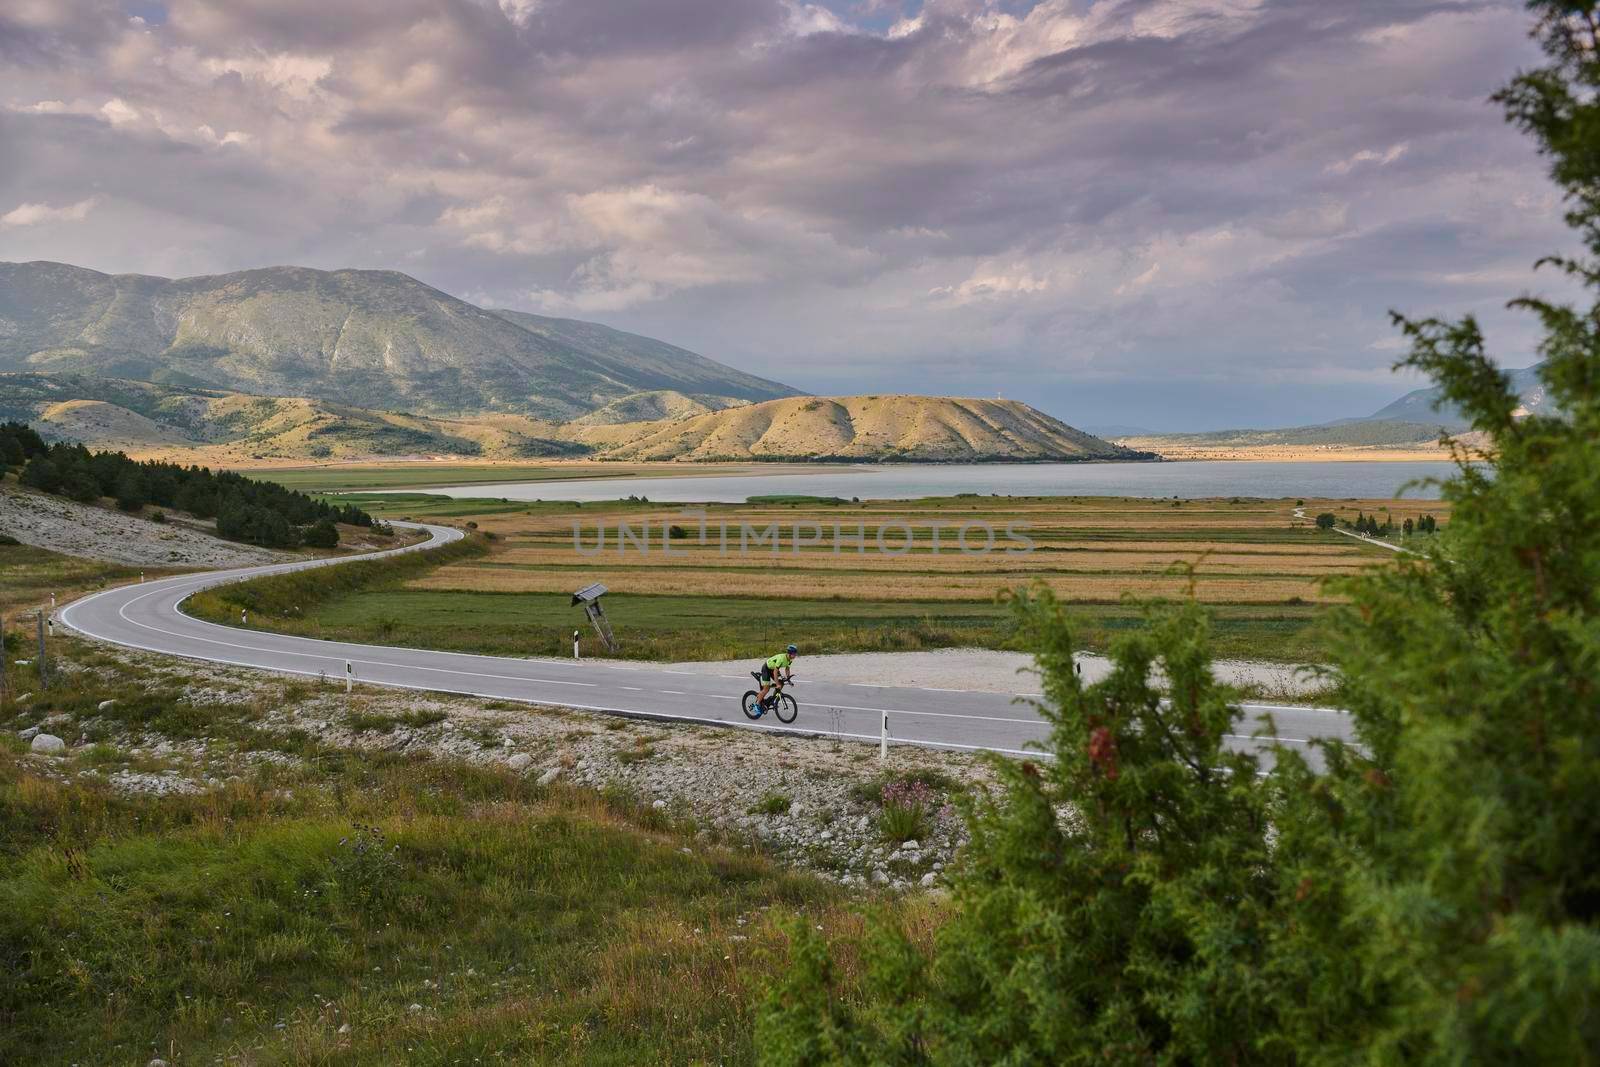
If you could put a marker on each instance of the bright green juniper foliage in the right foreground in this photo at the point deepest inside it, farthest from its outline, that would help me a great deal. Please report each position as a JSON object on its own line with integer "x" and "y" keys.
{"x": 1434, "y": 897}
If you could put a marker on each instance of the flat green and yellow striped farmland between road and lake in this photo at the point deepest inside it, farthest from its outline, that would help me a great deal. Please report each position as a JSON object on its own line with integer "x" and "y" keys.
{"x": 698, "y": 596}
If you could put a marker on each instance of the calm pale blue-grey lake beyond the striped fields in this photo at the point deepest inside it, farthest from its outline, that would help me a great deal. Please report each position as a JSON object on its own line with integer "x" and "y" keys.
{"x": 898, "y": 482}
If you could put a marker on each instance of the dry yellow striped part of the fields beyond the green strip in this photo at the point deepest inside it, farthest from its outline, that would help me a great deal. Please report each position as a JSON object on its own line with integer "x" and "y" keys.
{"x": 1084, "y": 549}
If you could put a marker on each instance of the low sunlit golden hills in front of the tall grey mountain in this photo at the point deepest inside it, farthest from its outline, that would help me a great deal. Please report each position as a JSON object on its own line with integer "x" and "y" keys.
{"x": 218, "y": 428}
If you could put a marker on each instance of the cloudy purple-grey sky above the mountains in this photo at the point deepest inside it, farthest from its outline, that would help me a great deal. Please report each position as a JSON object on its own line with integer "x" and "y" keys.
{"x": 1172, "y": 214}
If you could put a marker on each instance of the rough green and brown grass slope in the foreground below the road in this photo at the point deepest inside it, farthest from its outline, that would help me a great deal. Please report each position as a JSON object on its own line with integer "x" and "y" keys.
{"x": 362, "y": 906}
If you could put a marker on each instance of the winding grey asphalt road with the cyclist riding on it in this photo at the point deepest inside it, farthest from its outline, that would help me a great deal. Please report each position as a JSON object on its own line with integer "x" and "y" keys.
{"x": 148, "y": 617}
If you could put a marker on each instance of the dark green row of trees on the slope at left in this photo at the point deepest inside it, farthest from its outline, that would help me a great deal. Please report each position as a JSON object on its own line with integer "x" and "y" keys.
{"x": 255, "y": 513}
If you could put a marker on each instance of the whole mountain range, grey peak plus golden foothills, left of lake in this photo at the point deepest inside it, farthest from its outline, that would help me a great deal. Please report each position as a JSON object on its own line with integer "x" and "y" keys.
{"x": 290, "y": 364}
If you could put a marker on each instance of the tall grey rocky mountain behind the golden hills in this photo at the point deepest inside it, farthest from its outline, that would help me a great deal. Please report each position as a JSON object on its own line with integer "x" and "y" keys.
{"x": 359, "y": 338}
